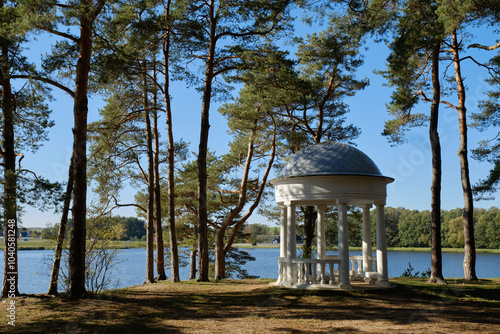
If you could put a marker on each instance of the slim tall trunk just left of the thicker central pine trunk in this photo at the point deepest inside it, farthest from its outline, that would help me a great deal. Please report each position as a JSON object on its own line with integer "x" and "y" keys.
{"x": 174, "y": 253}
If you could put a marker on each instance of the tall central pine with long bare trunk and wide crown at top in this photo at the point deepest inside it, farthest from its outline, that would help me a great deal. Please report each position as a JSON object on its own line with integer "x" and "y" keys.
{"x": 219, "y": 35}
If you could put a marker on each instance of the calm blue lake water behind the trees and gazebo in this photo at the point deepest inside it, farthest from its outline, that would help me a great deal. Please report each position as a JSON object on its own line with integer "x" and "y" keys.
{"x": 34, "y": 266}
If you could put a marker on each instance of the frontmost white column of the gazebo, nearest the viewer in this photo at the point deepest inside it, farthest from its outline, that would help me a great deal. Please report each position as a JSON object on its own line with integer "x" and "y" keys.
{"x": 344, "y": 279}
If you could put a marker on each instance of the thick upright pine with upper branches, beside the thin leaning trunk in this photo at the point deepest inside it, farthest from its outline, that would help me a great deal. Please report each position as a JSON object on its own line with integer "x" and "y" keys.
{"x": 71, "y": 58}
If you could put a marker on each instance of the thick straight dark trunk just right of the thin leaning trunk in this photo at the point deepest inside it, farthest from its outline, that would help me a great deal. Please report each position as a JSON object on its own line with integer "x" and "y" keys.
{"x": 78, "y": 234}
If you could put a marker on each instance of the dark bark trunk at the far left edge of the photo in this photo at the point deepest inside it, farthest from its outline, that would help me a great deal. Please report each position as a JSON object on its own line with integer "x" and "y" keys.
{"x": 9, "y": 196}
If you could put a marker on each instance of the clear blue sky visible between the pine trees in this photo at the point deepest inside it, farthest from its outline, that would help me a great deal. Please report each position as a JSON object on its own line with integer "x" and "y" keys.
{"x": 409, "y": 164}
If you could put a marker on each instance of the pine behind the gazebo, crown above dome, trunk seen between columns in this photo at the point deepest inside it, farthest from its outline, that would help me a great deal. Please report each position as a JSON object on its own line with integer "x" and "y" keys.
{"x": 326, "y": 66}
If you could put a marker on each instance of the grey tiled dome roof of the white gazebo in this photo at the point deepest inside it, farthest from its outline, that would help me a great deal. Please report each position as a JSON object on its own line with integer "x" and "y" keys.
{"x": 328, "y": 158}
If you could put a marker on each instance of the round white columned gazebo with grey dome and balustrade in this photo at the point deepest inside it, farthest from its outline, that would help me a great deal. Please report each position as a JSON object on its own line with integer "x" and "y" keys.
{"x": 331, "y": 174}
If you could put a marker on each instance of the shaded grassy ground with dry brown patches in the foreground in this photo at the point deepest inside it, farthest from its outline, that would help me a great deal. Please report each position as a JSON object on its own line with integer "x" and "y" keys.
{"x": 252, "y": 306}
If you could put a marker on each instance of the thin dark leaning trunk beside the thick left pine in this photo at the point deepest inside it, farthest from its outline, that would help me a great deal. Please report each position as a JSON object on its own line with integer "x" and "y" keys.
{"x": 54, "y": 277}
